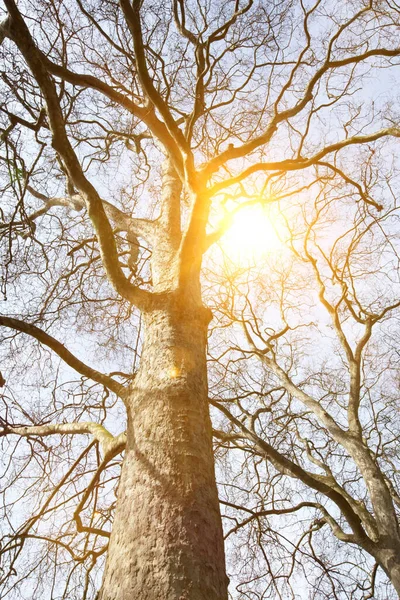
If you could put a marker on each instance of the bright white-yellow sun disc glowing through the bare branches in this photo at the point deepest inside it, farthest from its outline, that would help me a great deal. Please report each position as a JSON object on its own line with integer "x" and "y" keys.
{"x": 252, "y": 236}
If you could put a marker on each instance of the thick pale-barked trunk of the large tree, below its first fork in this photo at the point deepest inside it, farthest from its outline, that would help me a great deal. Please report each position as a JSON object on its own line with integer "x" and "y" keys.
{"x": 167, "y": 542}
